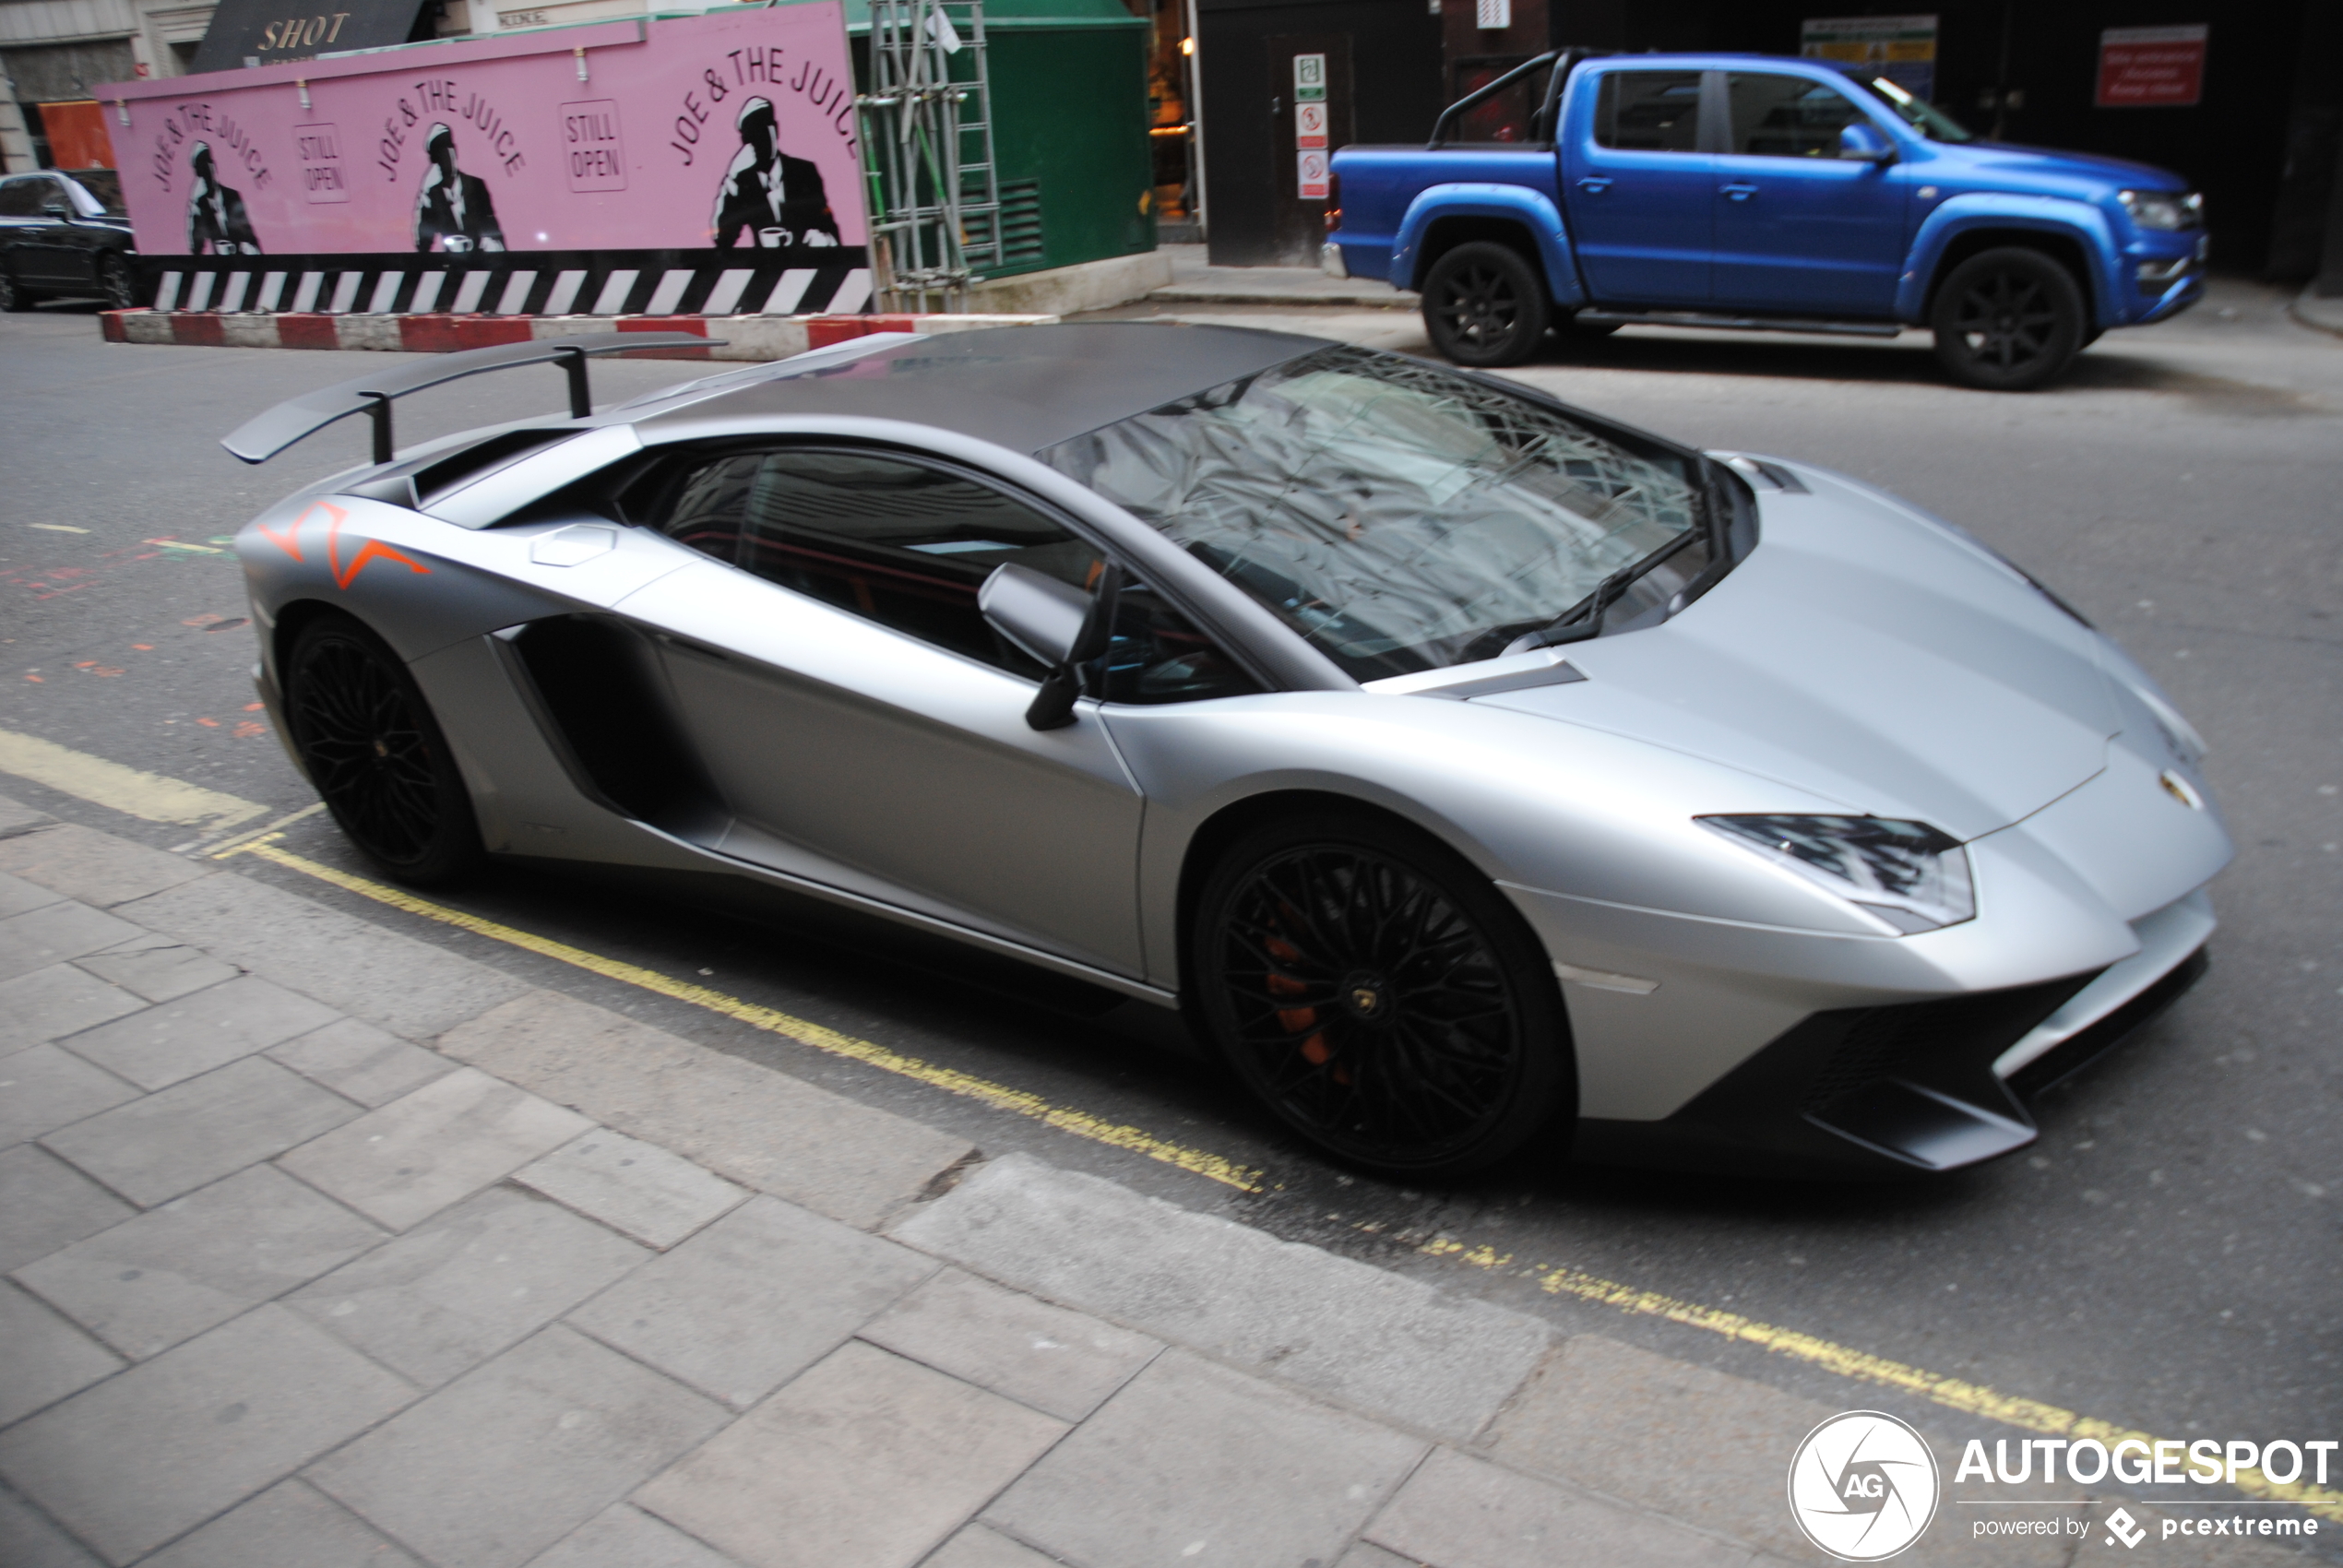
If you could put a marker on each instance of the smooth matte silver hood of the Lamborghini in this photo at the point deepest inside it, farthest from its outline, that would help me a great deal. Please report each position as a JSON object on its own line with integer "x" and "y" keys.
{"x": 1869, "y": 655}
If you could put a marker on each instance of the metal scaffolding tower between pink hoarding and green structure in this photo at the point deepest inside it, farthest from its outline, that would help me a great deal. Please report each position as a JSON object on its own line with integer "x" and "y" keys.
{"x": 929, "y": 154}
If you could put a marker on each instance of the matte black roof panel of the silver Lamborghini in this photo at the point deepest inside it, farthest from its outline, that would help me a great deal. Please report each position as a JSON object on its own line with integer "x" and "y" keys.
{"x": 1025, "y": 388}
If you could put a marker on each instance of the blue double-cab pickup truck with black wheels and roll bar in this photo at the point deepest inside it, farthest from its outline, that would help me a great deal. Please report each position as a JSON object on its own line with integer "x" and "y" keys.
{"x": 1772, "y": 196}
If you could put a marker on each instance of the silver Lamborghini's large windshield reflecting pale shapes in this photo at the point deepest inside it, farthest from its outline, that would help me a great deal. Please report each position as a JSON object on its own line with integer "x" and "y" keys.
{"x": 1395, "y": 514}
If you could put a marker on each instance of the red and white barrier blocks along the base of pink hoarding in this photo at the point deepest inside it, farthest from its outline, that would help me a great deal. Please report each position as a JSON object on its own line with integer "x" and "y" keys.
{"x": 742, "y": 336}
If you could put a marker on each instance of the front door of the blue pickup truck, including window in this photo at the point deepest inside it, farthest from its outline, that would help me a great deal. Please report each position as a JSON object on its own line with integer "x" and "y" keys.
{"x": 1798, "y": 226}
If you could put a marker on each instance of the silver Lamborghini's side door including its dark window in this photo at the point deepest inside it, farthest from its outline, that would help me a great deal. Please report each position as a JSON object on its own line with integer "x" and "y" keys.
{"x": 861, "y": 716}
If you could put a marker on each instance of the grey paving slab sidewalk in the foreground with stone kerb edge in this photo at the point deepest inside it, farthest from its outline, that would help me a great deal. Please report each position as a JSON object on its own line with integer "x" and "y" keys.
{"x": 329, "y": 1248}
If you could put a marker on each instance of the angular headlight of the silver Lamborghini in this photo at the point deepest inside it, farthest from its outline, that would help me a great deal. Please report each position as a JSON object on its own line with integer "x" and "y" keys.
{"x": 1911, "y": 875}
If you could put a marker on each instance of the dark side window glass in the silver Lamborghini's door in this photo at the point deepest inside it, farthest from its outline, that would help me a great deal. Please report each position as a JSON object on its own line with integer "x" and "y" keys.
{"x": 899, "y": 543}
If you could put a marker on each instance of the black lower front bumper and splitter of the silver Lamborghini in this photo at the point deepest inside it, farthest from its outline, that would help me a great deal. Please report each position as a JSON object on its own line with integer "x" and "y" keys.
{"x": 1899, "y": 1091}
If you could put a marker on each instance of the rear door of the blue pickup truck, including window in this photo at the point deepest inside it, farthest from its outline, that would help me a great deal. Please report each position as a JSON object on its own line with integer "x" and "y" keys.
{"x": 1641, "y": 193}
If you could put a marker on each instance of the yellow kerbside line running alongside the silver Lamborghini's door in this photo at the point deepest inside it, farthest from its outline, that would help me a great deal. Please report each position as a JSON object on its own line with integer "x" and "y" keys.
{"x": 952, "y": 1082}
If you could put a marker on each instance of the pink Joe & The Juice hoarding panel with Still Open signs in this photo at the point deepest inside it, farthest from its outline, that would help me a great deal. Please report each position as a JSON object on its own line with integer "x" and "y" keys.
{"x": 725, "y": 130}
